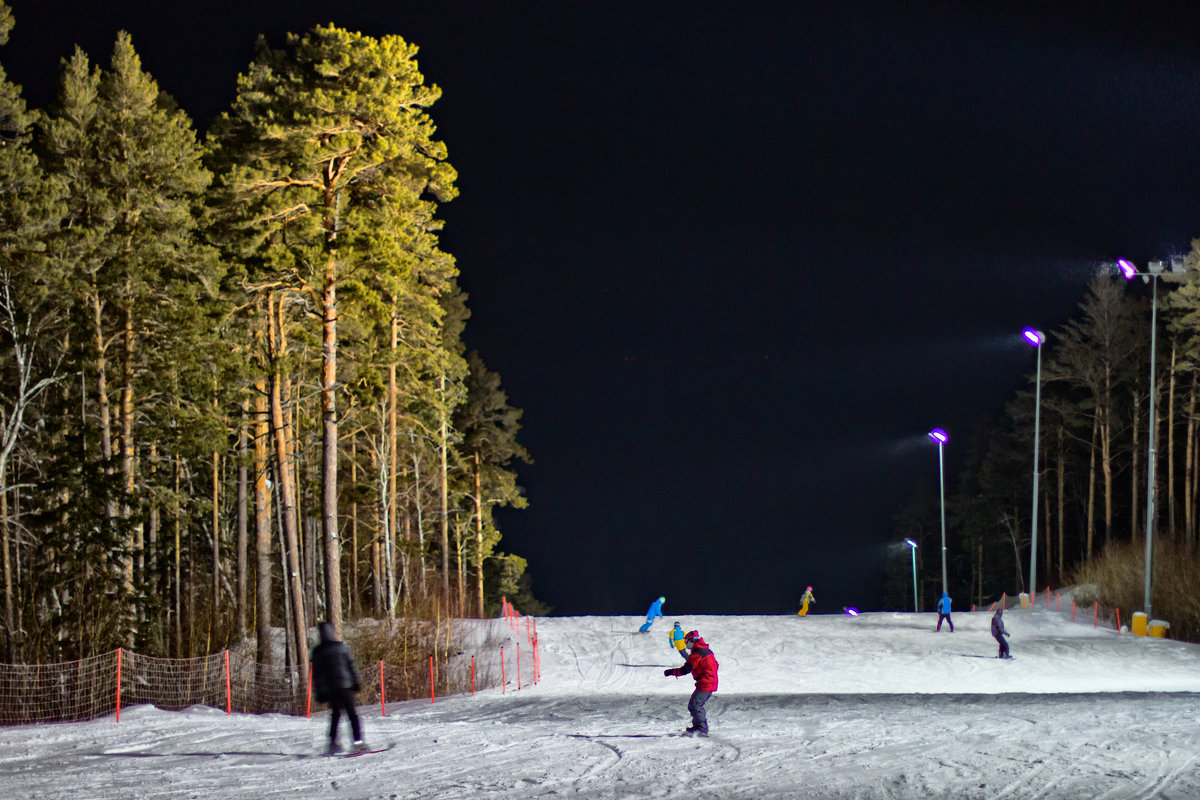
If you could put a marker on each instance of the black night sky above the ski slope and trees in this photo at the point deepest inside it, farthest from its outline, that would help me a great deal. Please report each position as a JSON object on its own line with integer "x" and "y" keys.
{"x": 735, "y": 260}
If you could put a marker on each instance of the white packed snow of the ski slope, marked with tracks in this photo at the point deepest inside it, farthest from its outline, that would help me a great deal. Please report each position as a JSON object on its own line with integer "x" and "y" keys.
{"x": 823, "y": 707}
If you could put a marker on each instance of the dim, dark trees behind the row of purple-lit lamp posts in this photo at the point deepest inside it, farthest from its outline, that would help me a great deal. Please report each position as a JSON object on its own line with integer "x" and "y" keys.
{"x": 1093, "y": 456}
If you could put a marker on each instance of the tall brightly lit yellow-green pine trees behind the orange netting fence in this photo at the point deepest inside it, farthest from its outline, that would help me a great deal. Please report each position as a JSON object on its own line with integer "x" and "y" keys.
{"x": 233, "y": 386}
